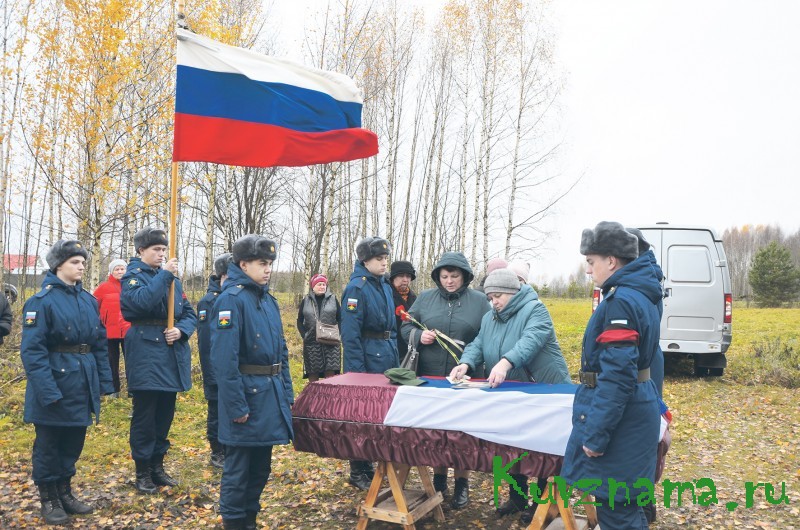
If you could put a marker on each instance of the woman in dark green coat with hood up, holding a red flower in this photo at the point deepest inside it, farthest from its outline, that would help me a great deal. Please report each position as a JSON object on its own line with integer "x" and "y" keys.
{"x": 455, "y": 310}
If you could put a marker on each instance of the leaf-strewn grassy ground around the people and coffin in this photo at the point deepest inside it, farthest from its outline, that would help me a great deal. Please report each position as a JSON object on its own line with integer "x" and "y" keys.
{"x": 742, "y": 427}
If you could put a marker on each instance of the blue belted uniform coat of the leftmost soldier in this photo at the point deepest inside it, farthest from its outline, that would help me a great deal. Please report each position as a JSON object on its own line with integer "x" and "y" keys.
{"x": 63, "y": 389}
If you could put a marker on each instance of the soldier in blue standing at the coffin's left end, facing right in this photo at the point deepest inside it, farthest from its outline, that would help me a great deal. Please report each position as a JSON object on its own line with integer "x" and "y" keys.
{"x": 251, "y": 364}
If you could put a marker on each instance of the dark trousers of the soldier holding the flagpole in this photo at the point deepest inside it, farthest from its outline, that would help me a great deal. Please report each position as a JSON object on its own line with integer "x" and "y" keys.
{"x": 153, "y": 412}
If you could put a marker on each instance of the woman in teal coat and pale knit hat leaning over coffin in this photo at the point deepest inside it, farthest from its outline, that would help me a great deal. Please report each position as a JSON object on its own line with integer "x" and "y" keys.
{"x": 517, "y": 341}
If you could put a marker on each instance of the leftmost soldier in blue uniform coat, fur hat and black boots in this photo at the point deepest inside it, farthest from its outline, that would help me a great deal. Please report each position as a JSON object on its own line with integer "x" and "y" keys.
{"x": 66, "y": 363}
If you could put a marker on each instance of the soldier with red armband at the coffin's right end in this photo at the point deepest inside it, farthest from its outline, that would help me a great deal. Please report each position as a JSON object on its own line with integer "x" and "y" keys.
{"x": 616, "y": 414}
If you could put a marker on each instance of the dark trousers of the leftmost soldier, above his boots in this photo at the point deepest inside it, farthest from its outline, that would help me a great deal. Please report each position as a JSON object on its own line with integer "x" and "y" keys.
{"x": 55, "y": 451}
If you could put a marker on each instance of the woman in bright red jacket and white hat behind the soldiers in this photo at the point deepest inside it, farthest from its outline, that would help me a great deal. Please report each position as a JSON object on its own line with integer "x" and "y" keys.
{"x": 107, "y": 294}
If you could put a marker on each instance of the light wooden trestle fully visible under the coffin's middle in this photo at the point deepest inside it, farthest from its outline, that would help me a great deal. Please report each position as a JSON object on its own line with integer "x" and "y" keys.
{"x": 396, "y": 504}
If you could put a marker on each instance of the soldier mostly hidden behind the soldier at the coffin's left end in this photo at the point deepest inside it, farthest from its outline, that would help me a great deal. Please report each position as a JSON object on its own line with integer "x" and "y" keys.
{"x": 204, "y": 308}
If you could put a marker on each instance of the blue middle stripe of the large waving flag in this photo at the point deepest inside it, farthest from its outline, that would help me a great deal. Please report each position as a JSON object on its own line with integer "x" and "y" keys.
{"x": 235, "y": 96}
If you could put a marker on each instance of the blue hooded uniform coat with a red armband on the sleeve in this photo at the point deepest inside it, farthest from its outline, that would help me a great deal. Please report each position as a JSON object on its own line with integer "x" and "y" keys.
{"x": 619, "y": 417}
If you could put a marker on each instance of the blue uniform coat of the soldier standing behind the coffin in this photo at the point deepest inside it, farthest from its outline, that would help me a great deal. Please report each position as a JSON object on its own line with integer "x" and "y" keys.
{"x": 368, "y": 306}
